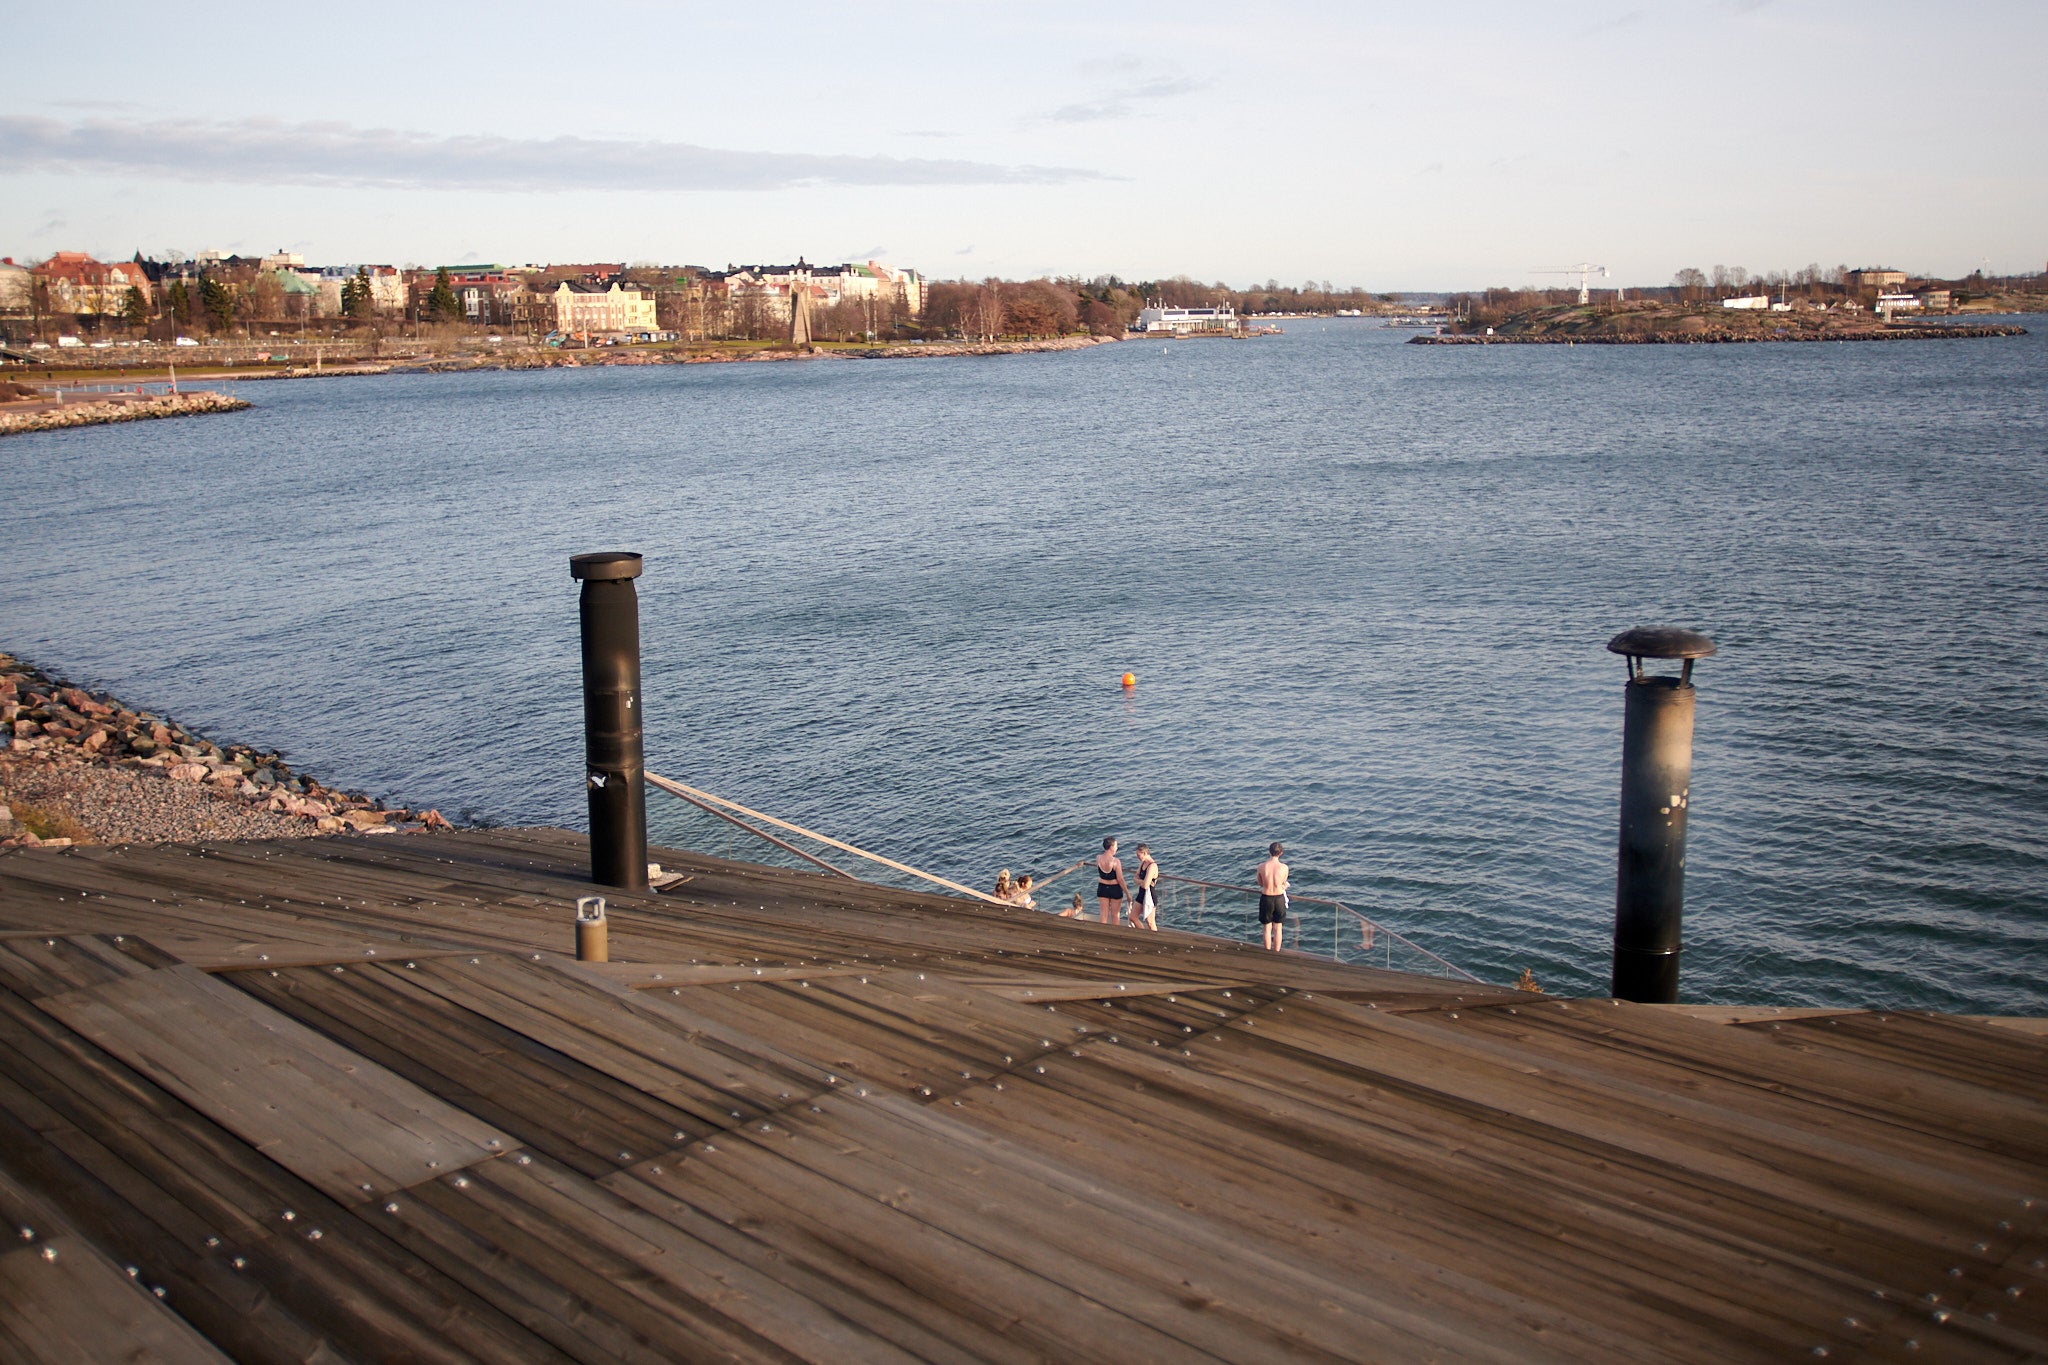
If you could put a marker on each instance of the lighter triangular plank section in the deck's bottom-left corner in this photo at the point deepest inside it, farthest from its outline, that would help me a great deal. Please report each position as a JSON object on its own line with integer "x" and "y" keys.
{"x": 62, "y": 1301}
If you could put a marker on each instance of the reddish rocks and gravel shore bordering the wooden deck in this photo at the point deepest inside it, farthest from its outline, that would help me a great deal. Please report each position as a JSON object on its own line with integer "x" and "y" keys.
{"x": 83, "y": 768}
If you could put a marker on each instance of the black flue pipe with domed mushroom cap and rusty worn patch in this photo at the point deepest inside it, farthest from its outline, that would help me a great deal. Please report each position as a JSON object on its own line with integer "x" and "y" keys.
{"x": 1650, "y": 881}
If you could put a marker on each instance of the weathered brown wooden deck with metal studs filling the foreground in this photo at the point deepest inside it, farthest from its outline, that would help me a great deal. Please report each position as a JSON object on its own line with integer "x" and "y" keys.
{"x": 351, "y": 1100}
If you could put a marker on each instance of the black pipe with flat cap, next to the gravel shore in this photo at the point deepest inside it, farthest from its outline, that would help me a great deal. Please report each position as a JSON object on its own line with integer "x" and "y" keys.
{"x": 613, "y": 762}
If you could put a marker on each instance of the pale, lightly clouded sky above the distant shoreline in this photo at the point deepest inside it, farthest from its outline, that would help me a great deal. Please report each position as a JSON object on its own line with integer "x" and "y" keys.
{"x": 1410, "y": 146}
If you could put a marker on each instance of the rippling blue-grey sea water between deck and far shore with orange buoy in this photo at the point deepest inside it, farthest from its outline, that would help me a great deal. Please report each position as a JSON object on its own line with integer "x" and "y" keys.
{"x": 1365, "y": 588}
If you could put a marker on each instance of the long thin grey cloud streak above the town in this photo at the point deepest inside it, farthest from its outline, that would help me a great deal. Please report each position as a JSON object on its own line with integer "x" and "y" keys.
{"x": 339, "y": 155}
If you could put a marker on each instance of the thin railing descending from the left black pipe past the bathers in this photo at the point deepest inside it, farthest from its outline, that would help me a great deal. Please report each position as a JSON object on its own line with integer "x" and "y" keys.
{"x": 1320, "y": 926}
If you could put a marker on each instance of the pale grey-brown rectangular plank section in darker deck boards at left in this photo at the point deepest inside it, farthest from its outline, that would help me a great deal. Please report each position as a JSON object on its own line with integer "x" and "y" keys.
{"x": 331, "y": 1116}
